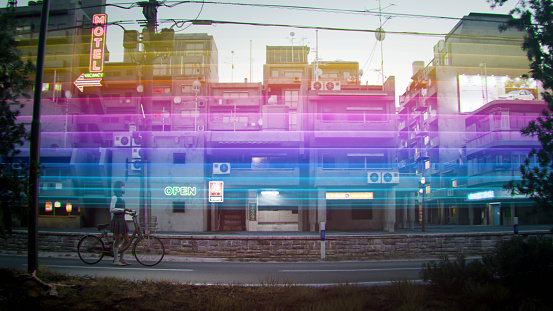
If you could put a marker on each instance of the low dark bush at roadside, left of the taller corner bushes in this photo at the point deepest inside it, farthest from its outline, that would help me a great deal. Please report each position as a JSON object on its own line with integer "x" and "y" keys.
{"x": 451, "y": 276}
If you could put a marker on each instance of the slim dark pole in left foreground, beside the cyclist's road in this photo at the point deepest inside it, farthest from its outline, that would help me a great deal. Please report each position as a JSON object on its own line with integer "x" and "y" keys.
{"x": 34, "y": 158}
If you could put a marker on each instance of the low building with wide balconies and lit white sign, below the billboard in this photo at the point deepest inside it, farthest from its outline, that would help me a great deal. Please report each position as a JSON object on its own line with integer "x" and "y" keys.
{"x": 495, "y": 150}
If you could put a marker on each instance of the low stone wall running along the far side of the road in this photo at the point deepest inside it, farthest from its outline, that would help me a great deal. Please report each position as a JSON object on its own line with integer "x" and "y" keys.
{"x": 297, "y": 247}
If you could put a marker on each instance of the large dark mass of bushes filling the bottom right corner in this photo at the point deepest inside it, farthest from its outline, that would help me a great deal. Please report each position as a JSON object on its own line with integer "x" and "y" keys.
{"x": 514, "y": 274}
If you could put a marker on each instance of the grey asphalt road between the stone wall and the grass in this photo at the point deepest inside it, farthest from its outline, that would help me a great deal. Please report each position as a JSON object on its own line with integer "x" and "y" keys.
{"x": 245, "y": 273}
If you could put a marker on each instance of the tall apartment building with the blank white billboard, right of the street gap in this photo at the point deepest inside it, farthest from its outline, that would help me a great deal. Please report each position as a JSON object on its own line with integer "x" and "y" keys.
{"x": 473, "y": 65}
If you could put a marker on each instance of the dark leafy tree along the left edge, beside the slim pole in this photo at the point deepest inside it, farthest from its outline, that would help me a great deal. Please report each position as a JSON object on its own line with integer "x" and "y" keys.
{"x": 15, "y": 82}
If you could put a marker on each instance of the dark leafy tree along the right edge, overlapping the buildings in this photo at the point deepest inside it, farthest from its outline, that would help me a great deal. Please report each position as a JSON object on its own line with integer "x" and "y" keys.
{"x": 536, "y": 18}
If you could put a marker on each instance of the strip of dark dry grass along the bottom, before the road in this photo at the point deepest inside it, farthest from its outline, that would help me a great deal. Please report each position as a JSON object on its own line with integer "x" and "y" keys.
{"x": 19, "y": 291}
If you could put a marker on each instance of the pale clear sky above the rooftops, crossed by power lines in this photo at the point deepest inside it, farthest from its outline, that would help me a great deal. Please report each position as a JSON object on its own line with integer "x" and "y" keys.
{"x": 425, "y": 18}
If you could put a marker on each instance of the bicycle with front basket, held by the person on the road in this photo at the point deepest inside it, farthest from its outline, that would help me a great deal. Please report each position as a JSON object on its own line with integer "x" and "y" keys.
{"x": 147, "y": 249}
